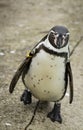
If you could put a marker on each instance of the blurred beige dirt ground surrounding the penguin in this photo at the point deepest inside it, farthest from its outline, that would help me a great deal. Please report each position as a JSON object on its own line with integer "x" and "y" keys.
{"x": 22, "y": 24}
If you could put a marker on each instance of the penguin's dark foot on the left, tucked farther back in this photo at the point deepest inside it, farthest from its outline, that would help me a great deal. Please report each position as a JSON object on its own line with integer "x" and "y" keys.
{"x": 26, "y": 97}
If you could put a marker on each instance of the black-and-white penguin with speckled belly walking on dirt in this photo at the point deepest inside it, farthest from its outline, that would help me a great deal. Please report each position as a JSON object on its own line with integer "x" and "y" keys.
{"x": 46, "y": 71}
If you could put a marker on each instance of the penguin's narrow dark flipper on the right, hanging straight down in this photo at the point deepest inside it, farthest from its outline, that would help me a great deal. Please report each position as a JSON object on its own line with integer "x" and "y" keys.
{"x": 70, "y": 81}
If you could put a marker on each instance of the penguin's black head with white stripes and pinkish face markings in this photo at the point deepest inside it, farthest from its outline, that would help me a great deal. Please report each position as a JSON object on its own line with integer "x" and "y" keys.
{"x": 58, "y": 36}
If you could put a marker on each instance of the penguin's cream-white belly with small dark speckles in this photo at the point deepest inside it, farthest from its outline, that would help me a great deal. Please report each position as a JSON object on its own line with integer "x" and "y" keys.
{"x": 46, "y": 76}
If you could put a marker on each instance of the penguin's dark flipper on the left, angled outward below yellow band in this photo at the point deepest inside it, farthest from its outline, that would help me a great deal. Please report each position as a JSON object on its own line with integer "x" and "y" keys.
{"x": 18, "y": 74}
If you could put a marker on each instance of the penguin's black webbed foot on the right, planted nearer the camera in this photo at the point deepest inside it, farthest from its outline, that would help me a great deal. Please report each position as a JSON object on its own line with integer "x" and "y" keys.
{"x": 54, "y": 115}
